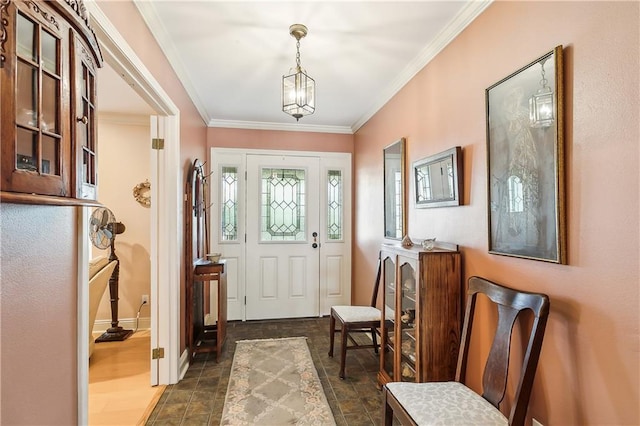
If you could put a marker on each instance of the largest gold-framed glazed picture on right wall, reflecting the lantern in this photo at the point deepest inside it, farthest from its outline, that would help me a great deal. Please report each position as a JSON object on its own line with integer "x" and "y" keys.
{"x": 525, "y": 162}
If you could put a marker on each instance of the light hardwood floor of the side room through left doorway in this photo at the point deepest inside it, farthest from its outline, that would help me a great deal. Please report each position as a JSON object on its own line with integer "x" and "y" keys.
{"x": 119, "y": 376}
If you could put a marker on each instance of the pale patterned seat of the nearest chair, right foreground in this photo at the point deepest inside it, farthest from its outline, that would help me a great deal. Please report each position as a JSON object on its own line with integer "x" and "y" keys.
{"x": 445, "y": 403}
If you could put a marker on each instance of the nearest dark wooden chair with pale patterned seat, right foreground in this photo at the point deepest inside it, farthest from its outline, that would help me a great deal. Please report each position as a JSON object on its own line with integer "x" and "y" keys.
{"x": 453, "y": 402}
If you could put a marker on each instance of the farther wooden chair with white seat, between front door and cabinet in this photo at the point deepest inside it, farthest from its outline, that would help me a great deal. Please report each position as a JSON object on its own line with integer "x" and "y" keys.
{"x": 355, "y": 319}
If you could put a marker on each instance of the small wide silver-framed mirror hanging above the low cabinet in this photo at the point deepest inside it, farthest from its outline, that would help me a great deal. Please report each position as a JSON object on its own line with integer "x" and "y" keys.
{"x": 438, "y": 179}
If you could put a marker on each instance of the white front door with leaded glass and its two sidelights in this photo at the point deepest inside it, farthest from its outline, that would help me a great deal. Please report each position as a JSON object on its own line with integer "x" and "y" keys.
{"x": 282, "y": 221}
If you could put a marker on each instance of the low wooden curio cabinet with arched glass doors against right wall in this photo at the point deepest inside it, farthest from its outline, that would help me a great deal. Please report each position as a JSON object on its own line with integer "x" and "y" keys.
{"x": 421, "y": 314}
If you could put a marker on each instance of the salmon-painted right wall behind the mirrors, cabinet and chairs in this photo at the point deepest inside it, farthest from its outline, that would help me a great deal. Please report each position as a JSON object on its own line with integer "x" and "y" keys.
{"x": 588, "y": 372}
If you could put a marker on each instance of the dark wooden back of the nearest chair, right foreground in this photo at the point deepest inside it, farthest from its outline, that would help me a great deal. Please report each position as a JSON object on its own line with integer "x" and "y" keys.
{"x": 510, "y": 303}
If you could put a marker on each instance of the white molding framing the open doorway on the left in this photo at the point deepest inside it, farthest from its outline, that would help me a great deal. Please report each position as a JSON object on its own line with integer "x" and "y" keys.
{"x": 166, "y": 216}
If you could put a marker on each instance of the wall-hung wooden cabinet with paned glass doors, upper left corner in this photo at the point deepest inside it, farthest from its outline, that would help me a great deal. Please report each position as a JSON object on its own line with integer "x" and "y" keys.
{"x": 49, "y": 58}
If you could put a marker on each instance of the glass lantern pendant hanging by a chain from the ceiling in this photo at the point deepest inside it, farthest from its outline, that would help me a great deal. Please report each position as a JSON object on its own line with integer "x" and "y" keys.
{"x": 298, "y": 89}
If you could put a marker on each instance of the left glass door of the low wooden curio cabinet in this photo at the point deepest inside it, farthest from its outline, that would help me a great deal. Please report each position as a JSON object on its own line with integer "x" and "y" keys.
{"x": 388, "y": 352}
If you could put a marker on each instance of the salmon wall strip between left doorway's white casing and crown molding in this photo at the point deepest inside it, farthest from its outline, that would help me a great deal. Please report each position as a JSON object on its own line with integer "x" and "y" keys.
{"x": 125, "y": 16}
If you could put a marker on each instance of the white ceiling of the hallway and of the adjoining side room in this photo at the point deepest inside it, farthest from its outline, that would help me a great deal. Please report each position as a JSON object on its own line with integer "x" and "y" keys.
{"x": 231, "y": 56}
